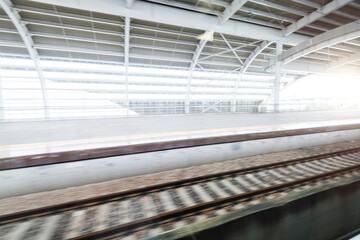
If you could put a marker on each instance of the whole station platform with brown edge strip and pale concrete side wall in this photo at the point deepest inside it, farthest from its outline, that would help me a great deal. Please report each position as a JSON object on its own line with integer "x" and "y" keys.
{"x": 49, "y": 155}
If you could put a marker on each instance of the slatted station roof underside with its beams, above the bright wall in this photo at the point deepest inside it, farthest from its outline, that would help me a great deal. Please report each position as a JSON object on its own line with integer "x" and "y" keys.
{"x": 166, "y": 32}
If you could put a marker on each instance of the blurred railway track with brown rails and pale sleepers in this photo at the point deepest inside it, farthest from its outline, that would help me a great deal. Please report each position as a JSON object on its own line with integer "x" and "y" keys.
{"x": 148, "y": 211}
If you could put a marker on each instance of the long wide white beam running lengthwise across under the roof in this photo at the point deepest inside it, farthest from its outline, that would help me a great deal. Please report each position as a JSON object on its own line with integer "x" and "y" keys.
{"x": 173, "y": 16}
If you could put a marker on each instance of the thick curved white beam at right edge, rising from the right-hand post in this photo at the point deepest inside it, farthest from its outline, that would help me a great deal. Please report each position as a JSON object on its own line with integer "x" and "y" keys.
{"x": 327, "y": 39}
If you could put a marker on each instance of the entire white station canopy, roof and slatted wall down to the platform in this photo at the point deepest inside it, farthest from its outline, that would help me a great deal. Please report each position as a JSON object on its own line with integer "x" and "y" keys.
{"x": 145, "y": 57}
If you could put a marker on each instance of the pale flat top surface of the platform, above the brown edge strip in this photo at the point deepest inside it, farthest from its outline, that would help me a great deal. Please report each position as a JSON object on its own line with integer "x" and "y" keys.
{"x": 40, "y": 137}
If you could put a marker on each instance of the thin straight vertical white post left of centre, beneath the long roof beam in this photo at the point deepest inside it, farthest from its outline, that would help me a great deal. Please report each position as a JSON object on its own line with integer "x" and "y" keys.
{"x": 126, "y": 62}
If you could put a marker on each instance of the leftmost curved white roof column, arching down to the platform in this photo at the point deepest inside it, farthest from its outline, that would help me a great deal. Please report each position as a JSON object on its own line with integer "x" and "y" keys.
{"x": 24, "y": 33}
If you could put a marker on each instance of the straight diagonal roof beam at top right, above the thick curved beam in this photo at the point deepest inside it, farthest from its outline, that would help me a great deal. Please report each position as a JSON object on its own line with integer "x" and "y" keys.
{"x": 312, "y": 17}
